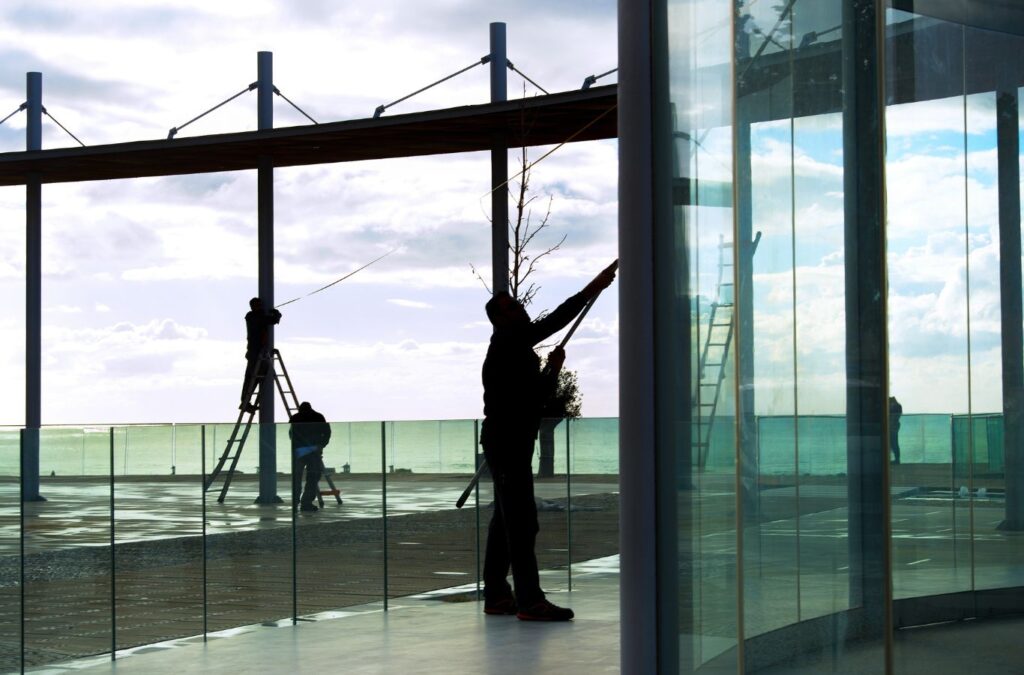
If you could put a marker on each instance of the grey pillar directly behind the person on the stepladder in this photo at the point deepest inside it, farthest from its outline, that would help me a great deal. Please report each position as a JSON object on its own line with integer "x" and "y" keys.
{"x": 265, "y": 198}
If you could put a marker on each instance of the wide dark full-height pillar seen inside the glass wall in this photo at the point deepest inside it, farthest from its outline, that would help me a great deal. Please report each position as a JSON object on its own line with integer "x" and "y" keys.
{"x": 867, "y": 357}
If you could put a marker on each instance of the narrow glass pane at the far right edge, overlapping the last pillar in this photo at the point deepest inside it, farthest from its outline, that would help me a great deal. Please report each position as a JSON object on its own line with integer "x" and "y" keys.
{"x": 998, "y": 551}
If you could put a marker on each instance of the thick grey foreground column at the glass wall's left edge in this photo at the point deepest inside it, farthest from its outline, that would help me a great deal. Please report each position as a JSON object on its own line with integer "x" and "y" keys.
{"x": 641, "y": 603}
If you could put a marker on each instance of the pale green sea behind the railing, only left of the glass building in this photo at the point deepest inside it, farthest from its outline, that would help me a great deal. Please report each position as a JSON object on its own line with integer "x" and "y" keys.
{"x": 589, "y": 446}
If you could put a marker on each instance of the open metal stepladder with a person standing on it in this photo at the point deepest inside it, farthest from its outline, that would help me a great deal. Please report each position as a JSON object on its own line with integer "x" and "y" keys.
{"x": 270, "y": 364}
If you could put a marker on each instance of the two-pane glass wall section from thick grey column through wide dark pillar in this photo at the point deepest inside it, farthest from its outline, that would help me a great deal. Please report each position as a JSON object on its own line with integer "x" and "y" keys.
{"x": 780, "y": 477}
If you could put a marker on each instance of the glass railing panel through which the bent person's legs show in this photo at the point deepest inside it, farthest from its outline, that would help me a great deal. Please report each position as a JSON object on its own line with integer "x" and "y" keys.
{"x": 340, "y": 549}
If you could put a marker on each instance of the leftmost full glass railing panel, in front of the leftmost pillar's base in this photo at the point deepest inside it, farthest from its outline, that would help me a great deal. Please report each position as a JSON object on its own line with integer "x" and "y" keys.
{"x": 68, "y": 605}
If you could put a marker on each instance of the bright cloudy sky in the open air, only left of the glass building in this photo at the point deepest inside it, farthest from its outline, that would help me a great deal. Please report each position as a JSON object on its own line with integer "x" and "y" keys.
{"x": 146, "y": 282}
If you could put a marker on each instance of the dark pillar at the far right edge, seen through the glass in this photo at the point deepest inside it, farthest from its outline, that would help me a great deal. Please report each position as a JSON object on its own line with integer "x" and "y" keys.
{"x": 1007, "y": 111}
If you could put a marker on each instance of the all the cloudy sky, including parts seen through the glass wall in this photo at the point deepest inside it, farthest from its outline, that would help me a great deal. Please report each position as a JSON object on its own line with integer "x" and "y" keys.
{"x": 146, "y": 282}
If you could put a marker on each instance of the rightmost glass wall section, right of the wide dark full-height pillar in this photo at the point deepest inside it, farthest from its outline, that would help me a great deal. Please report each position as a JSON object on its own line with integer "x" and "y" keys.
{"x": 955, "y": 322}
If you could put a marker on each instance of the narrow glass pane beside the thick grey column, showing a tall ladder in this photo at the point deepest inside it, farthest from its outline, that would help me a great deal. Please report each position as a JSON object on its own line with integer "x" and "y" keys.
{"x": 697, "y": 309}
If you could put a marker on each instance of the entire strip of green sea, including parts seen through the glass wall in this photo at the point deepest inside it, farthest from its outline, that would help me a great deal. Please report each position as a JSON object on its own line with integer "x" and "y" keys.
{"x": 810, "y": 446}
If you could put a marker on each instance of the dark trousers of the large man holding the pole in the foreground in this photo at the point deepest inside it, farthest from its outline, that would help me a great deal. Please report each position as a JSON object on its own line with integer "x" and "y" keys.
{"x": 513, "y": 536}
